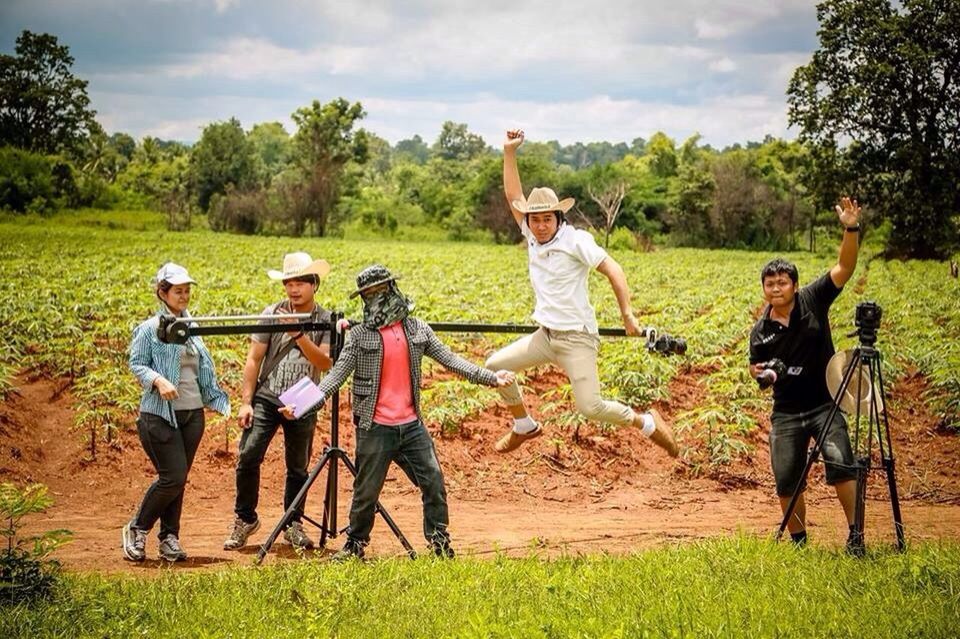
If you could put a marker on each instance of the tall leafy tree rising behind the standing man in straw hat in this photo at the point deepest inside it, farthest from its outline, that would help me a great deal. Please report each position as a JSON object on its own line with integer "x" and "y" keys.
{"x": 325, "y": 141}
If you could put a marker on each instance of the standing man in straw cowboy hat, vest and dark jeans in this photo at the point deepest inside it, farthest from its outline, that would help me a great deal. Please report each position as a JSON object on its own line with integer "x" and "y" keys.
{"x": 275, "y": 361}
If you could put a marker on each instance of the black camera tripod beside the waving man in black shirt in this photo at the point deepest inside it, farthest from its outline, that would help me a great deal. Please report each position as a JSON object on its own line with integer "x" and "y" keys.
{"x": 866, "y": 358}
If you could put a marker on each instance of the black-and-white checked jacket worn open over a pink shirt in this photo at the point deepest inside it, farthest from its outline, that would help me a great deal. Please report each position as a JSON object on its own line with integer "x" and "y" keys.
{"x": 363, "y": 356}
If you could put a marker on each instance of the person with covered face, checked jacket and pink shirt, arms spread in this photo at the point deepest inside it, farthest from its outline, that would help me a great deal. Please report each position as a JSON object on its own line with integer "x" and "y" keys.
{"x": 384, "y": 354}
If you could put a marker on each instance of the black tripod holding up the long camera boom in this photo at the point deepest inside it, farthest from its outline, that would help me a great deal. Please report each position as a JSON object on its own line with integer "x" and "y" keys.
{"x": 331, "y": 457}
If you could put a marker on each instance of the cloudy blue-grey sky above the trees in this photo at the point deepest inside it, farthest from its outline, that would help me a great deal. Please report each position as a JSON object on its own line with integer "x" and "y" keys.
{"x": 566, "y": 70}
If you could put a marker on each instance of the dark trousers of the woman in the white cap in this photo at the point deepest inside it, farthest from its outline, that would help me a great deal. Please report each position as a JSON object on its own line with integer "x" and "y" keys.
{"x": 171, "y": 450}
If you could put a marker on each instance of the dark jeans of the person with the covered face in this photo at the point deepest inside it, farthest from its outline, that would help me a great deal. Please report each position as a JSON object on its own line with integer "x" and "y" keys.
{"x": 410, "y": 446}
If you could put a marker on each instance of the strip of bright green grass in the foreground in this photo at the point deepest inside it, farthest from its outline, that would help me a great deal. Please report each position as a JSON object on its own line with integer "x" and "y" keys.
{"x": 735, "y": 587}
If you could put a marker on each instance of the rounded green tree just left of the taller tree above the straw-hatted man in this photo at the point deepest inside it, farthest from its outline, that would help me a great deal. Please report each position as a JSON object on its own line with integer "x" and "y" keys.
{"x": 223, "y": 156}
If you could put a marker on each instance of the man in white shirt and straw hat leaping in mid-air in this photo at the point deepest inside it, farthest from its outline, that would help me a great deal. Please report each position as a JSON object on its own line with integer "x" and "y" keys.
{"x": 560, "y": 260}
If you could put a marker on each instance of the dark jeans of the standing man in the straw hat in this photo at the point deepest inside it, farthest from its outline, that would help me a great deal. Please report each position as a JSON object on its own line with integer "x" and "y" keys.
{"x": 297, "y": 448}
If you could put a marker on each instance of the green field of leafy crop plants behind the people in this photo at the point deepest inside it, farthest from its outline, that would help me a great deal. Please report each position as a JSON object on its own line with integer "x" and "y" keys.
{"x": 68, "y": 327}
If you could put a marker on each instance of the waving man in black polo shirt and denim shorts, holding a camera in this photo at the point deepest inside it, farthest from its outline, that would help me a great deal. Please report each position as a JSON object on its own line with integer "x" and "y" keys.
{"x": 795, "y": 329}
